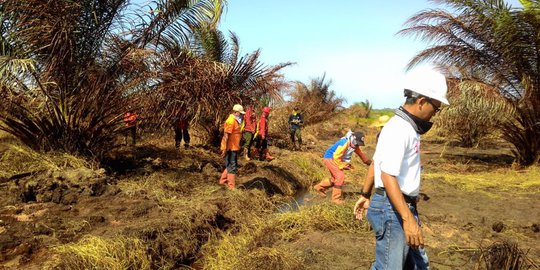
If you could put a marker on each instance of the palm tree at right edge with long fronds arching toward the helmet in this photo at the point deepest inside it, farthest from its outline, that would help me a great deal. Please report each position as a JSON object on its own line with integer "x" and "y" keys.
{"x": 491, "y": 42}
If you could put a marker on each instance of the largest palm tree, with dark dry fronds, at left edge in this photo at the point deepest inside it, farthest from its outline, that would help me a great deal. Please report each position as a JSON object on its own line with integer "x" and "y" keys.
{"x": 68, "y": 69}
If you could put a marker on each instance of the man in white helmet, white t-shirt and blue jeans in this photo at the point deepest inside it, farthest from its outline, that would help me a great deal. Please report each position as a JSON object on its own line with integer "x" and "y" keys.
{"x": 396, "y": 166}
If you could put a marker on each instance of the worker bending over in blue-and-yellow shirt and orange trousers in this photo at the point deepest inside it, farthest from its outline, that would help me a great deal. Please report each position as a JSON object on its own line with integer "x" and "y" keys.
{"x": 336, "y": 159}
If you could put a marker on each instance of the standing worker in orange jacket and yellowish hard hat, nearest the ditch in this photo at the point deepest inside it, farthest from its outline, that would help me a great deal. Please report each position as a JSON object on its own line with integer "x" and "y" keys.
{"x": 230, "y": 145}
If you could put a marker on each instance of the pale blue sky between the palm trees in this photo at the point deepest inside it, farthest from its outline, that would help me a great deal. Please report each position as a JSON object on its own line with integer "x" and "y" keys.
{"x": 353, "y": 42}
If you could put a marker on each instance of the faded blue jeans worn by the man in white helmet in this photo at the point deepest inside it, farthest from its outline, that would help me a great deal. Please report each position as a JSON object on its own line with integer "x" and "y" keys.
{"x": 392, "y": 251}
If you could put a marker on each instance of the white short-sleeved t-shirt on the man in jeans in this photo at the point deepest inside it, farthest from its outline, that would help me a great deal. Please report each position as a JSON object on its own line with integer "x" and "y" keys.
{"x": 398, "y": 154}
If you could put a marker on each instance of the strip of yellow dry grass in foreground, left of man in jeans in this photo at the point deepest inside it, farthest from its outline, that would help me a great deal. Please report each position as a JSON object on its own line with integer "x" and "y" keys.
{"x": 260, "y": 245}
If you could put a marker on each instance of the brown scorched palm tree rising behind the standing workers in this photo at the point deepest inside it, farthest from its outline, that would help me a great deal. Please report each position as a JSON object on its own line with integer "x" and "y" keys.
{"x": 207, "y": 77}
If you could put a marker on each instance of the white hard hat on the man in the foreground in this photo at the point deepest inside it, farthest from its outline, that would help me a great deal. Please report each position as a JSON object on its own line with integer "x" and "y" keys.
{"x": 427, "y": 82}
